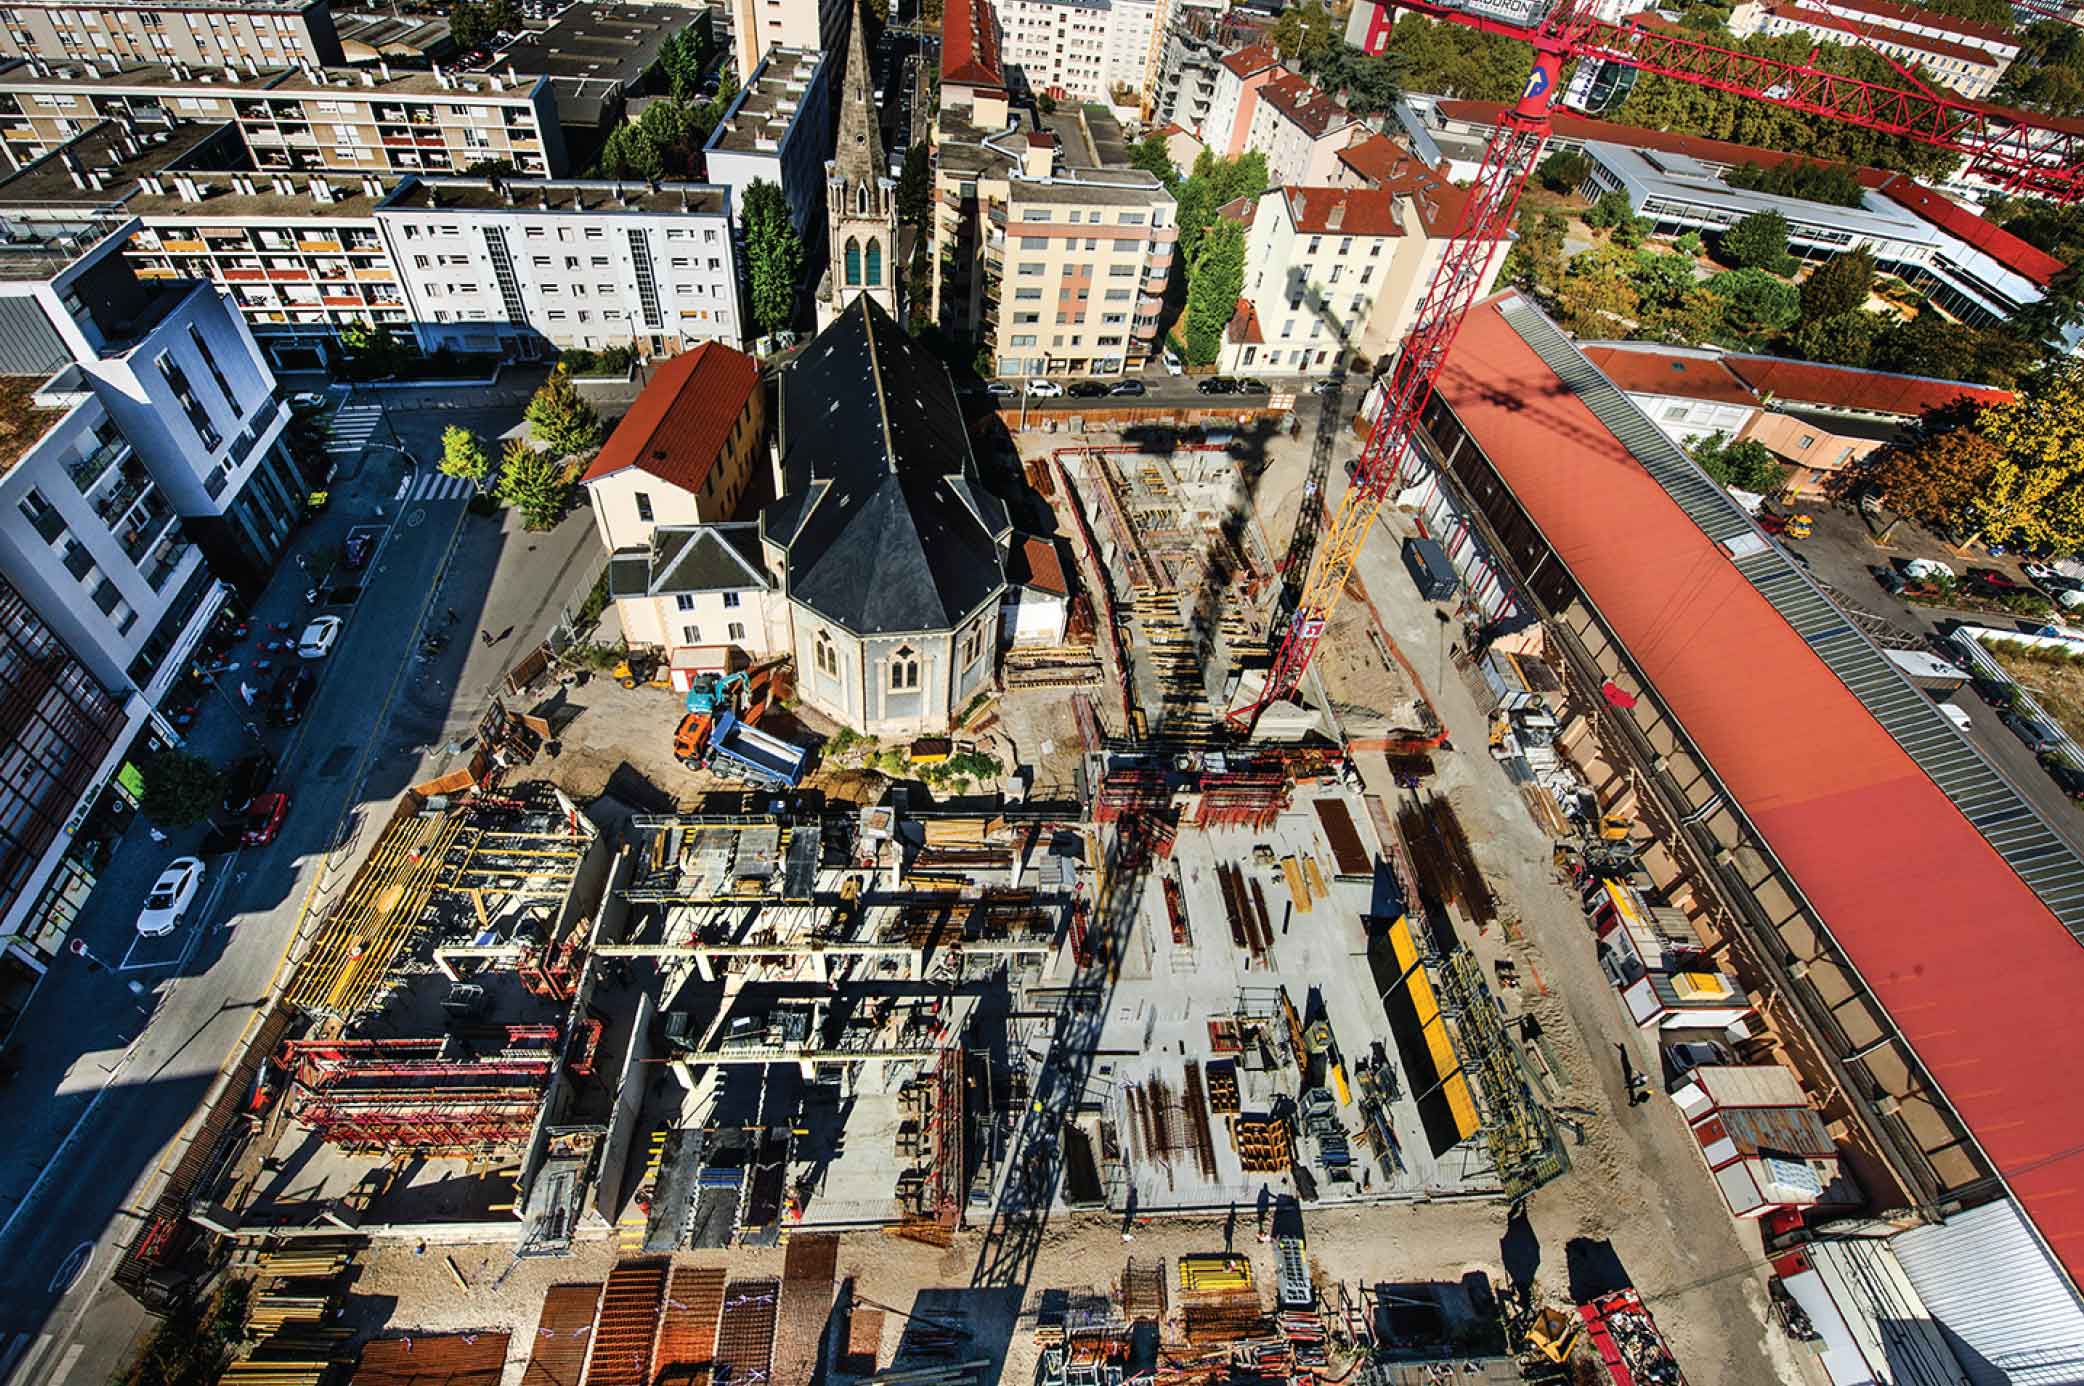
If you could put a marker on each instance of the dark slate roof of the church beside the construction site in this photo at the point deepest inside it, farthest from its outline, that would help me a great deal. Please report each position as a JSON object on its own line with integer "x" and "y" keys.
{"x": 883, "y": 516}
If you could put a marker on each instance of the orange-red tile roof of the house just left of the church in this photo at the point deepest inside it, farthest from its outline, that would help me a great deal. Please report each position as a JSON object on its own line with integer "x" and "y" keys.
{"x": 683, "y": 418}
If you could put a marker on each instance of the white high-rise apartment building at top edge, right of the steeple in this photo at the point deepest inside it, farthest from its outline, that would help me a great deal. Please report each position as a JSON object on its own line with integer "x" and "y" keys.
{"x": 1083, "y": 49}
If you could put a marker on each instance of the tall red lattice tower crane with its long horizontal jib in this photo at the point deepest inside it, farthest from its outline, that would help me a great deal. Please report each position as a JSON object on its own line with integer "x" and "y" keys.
{"x": 2006, "y": 147}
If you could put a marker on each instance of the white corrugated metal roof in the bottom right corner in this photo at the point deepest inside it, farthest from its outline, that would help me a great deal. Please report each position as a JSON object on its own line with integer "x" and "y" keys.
{"x": 1993, "y": 1289}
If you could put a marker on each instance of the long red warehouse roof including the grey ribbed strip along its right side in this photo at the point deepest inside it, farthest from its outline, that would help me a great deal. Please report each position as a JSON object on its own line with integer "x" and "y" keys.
{"x": 1931, "y": 872}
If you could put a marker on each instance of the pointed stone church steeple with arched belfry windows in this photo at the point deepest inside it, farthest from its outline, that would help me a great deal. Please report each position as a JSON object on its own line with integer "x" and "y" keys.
{"x": 862, "y": 207}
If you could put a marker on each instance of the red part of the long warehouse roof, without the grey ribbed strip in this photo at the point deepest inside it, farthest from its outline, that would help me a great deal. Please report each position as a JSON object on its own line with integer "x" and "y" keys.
{"x": 1970, "y": 964}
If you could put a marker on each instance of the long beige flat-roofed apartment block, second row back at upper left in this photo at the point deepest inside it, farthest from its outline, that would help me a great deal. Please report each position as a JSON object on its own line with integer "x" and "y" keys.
{"x": 301, "y": 120}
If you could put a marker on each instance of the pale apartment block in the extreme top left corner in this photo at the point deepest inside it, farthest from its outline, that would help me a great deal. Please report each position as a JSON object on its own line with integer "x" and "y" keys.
{"x": 280, "y": 34}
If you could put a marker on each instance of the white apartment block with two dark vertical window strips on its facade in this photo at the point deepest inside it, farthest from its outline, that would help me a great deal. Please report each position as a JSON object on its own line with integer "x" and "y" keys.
{"x": 535, "y": 266}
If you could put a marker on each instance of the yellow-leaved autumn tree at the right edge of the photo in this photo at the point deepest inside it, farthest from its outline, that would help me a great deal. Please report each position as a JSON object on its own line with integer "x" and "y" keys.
{"x": 2035, "y": 493}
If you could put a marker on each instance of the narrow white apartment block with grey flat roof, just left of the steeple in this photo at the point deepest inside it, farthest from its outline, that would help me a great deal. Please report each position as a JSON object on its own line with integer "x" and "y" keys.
{"x": 780, "y": 132}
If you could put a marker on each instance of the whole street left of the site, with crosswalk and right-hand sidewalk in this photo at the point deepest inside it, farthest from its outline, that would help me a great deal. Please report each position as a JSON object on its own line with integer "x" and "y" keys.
{"x": 111, "y": 1079}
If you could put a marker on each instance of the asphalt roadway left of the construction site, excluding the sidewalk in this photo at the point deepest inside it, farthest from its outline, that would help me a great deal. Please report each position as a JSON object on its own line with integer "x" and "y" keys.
{"x": 139, "y": 1081}
